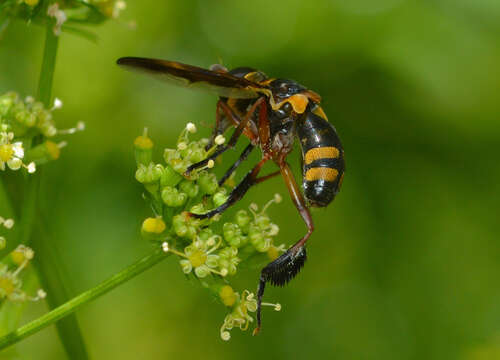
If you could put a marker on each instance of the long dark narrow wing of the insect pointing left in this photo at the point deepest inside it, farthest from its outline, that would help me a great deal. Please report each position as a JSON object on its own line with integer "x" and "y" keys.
{"x": 222, "y": 83}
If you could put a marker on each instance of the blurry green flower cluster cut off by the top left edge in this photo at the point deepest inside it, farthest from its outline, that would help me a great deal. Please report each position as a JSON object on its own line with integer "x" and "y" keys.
{"x": 64, "y": 13}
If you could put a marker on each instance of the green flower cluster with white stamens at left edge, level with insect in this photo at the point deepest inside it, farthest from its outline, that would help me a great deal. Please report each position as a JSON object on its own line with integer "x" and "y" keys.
{"x": 26, "y": 133}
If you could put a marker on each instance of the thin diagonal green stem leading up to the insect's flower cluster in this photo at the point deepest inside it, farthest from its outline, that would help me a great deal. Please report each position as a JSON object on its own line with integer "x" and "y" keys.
{"x": 82, "y": 299}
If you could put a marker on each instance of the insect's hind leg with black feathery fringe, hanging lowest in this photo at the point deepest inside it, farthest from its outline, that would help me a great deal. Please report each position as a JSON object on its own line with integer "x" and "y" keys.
{"x": 287, "y": 266}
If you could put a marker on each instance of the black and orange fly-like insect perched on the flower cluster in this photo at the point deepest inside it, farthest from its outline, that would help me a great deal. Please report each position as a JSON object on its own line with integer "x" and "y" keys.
{"x": 271, "y": 113}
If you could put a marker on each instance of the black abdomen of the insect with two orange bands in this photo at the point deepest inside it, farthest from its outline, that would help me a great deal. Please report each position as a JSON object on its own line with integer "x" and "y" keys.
{"x": 323, "y": 158}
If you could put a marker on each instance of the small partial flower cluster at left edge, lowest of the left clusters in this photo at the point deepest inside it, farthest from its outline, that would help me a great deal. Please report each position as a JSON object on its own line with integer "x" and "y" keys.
{"x": 11, "y": 267}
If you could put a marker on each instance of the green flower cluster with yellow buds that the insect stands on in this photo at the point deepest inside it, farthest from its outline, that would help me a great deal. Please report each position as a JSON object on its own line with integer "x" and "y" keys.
{"x": 209, "y": 250}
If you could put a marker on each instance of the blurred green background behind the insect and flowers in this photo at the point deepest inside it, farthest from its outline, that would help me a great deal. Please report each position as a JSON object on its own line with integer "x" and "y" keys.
{"x": 403, "y": 265}
